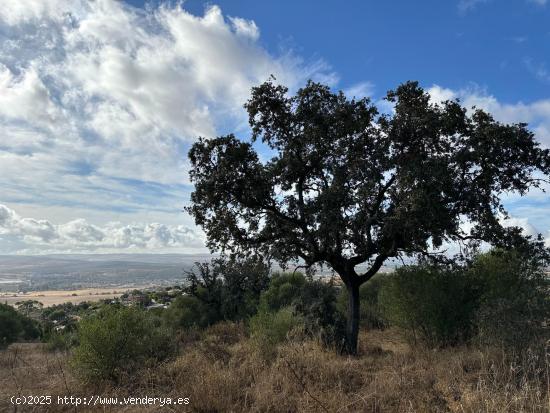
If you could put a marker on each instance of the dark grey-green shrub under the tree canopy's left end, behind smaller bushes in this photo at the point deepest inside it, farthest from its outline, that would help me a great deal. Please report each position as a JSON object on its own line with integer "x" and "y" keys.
{"x": 228, "y": 288}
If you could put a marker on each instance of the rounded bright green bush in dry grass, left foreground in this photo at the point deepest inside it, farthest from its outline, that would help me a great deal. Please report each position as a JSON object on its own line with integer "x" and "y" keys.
{"x": 118, "y": 341}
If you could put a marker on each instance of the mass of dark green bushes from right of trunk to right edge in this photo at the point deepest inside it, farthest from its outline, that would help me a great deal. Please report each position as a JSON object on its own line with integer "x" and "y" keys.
{"x": 501, "y": 299}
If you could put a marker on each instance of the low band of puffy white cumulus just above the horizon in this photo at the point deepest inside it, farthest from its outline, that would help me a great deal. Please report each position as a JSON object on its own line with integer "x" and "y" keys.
{"x": 78, "y": 235}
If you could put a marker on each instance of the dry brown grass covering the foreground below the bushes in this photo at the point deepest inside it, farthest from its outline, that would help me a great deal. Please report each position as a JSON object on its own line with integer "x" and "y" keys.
{"x": 223, "y": 371}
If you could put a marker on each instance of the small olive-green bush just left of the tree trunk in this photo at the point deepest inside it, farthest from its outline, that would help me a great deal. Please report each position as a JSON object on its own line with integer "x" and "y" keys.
{"x": 268, "y": 329}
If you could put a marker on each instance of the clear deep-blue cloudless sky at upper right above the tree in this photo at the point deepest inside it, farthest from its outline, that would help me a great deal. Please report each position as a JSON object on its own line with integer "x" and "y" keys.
{"x": 499, "y": 45}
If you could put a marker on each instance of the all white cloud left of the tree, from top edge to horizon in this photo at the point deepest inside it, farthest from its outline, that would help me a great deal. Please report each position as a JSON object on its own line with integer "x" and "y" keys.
{"x": 100, "y": 101}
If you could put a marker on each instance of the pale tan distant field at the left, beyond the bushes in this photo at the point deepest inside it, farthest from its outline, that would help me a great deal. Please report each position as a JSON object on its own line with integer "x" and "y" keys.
{"x": 53, "y": 297}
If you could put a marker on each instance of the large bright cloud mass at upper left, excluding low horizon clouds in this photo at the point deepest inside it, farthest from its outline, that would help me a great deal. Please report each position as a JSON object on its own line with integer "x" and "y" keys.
{"x": 129, "y": 87}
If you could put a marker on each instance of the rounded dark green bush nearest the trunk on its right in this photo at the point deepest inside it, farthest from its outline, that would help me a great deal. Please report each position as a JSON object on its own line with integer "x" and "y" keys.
{"x": 436, "y": 305}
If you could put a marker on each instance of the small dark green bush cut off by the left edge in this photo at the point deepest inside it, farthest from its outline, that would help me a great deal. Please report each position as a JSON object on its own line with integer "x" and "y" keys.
{"x": 15, "y": 326}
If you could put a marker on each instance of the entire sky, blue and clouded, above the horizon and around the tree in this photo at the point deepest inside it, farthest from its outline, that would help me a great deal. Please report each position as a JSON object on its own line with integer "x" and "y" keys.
{"x": 100, "y": 101}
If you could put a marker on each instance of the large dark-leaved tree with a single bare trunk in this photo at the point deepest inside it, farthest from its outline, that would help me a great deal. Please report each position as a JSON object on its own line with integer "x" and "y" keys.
{"x": 347, "y": 185}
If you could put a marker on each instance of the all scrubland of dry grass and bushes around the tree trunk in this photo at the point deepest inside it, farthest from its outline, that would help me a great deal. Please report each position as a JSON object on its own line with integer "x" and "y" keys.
{"x": 472, "y": 338}
